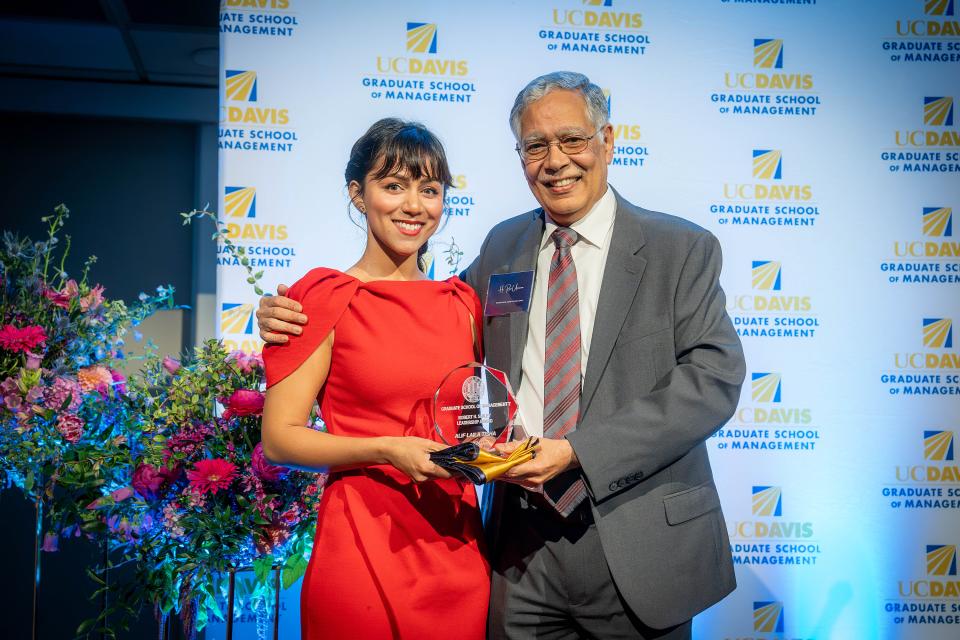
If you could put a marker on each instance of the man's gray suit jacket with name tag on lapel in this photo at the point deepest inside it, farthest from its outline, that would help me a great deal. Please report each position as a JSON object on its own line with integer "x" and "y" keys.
{"x": 664, "y": 372}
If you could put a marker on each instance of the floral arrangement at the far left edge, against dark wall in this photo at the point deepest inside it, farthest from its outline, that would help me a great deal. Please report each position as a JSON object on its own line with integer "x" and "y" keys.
{"x": 63, "y": 419}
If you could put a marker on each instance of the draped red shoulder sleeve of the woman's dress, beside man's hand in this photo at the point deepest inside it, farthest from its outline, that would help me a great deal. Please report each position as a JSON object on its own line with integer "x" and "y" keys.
{"x": 324, "y": 294}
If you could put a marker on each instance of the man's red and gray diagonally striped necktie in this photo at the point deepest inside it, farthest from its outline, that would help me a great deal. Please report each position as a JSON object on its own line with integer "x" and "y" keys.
{"x": 561, "y": 366}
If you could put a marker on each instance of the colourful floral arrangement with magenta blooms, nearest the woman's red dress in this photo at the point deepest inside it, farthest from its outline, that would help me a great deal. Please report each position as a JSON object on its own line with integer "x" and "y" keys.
{"x": 202, "y": 499}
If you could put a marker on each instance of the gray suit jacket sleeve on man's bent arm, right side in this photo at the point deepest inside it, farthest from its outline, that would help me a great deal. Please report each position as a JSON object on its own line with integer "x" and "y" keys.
{"x": 643, "y": 435}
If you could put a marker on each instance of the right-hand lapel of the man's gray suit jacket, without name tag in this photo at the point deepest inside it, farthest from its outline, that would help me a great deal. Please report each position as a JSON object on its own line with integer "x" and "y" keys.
{"x": 621, "y": 279}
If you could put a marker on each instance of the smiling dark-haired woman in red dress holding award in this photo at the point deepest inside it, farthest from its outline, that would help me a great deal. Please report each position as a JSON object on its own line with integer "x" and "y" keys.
{"x": 397, "y": 551}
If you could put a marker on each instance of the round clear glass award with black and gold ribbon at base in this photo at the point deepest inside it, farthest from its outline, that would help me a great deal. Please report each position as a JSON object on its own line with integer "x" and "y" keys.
{"x": 474, "y": 409}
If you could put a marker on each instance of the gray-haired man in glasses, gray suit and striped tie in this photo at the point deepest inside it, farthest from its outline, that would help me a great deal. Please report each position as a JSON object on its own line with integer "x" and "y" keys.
{"x": 626, "y": 362}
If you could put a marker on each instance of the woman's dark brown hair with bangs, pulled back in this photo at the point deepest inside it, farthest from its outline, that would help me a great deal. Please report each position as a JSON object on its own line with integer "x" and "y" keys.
{"x": 392, "y": 145}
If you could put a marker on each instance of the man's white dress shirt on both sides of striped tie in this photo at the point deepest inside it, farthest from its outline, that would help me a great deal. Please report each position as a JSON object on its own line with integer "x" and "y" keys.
{"x": 590, "y": 257}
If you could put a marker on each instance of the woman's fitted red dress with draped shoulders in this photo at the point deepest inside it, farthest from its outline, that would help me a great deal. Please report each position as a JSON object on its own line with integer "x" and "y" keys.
{"x": 391, "y": 558}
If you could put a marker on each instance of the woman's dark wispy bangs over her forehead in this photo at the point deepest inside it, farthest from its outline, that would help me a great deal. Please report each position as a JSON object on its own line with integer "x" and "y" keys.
{"x": 413, "y": 152}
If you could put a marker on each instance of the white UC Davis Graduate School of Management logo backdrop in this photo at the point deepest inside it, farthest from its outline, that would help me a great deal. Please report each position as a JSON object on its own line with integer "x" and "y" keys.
{"x": 818, "y": 140}
